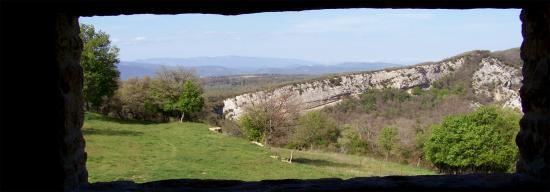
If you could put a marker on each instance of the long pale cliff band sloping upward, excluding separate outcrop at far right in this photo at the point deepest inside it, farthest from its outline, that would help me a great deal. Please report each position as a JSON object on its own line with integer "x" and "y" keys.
{"x": 321, "y": 92}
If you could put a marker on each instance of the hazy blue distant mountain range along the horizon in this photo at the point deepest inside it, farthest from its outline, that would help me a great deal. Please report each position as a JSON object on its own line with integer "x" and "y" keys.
{"x": 238, "y": 65}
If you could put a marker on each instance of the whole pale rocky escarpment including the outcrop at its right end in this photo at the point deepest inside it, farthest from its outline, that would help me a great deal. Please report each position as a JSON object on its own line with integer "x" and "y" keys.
{"x": 493, "y": 79}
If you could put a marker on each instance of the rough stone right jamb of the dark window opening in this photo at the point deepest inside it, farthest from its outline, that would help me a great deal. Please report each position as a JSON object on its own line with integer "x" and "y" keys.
{"x": 533, "y": 139}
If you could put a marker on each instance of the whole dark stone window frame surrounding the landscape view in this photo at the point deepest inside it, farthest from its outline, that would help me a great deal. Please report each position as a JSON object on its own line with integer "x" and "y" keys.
{"x": 63, "y": 91}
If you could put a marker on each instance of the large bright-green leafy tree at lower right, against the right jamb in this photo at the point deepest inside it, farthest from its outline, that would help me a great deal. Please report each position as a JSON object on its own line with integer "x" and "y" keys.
{"x": 482, "y": 141}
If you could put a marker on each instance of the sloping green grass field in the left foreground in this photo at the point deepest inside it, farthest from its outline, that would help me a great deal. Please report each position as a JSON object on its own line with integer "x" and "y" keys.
{"x": 141, "y": 152}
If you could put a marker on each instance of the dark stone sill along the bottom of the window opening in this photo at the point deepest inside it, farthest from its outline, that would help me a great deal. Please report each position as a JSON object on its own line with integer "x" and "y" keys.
{"x": 439, "y": 183}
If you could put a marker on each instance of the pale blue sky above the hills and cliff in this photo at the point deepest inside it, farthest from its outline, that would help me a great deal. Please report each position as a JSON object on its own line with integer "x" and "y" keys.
{"x": 403, "y": 36}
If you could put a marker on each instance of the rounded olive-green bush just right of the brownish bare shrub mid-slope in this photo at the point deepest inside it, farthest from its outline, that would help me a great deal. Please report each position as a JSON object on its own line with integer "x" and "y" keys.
{"x": 315, "y": 130}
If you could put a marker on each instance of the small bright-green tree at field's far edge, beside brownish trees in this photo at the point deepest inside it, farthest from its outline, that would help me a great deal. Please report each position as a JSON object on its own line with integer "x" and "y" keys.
{"x": 191, "y": 99}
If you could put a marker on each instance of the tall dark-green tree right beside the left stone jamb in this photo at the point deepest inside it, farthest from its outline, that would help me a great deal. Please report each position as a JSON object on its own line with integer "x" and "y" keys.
{"x": 98, "y": 62}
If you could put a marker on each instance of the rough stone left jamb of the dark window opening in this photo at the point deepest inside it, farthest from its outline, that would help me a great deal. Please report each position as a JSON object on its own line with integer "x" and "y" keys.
{"x": 68, "y": 50}
